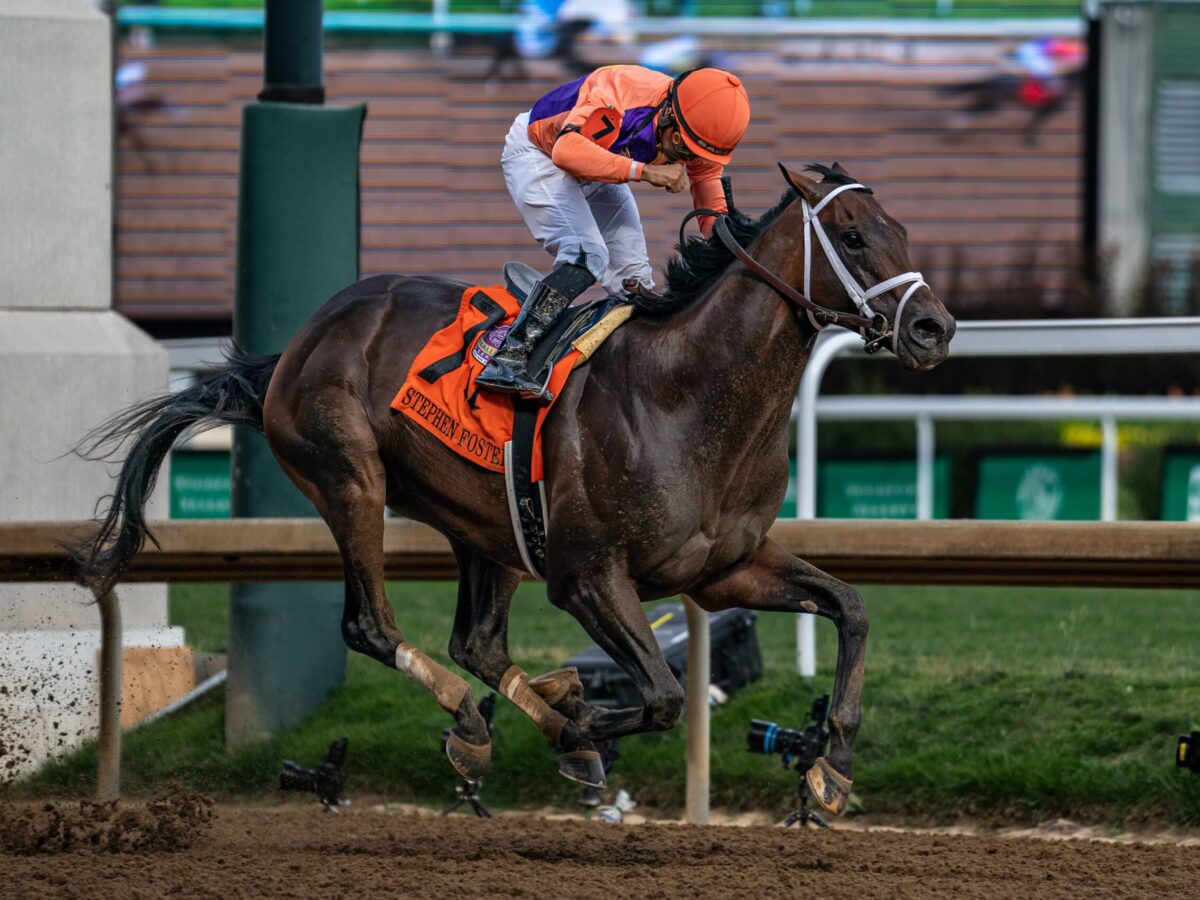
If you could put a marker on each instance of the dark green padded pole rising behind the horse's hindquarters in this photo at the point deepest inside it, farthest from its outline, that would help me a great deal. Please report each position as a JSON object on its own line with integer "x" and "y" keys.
{"x": 298, "y": 244}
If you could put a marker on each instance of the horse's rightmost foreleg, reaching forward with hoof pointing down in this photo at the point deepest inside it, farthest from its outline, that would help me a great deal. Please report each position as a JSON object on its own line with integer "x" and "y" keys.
{"x": 773, "y": 580}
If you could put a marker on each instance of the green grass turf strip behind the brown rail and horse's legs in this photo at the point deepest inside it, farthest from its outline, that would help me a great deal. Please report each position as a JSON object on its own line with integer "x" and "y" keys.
{"x": 1004, "y": 705}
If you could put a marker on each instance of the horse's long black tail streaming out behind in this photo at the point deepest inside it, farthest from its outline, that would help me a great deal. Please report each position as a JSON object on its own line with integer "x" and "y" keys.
{"x": 229, "y": 395}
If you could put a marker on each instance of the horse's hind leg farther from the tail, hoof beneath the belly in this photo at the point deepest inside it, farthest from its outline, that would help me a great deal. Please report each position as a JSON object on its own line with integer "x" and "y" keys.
{"x": 481, "y": 645}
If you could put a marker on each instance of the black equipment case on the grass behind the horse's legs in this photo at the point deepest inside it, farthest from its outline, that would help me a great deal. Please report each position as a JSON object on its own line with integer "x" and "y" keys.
{"x": 736, "y": 659}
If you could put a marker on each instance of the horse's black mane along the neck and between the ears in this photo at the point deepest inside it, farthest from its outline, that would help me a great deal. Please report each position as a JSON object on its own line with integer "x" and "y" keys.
{"x": 700, "y": 261}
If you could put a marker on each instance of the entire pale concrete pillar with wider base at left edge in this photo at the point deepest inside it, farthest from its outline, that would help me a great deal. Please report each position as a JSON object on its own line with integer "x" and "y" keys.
{"x": 68, "y": 362}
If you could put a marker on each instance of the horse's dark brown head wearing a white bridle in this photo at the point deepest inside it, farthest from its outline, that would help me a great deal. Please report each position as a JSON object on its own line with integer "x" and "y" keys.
{"x": 857, "y": 255}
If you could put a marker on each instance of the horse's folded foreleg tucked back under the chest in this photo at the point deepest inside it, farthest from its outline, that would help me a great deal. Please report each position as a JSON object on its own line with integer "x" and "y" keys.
{"x": 611, "y": 613}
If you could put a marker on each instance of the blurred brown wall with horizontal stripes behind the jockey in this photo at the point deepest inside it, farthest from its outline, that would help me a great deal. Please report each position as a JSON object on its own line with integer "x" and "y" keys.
{"x": 983, "y": 207}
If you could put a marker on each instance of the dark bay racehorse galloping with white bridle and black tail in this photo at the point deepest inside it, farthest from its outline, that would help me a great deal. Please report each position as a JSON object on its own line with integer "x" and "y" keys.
{"x": 667, "y": 465}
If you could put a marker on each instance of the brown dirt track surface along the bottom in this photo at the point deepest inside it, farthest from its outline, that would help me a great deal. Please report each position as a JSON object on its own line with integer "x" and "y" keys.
{"x": 302, "y": 853}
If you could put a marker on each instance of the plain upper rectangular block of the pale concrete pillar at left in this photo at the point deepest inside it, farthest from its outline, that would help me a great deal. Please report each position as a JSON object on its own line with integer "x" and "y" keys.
{"x": 56, "y": 159}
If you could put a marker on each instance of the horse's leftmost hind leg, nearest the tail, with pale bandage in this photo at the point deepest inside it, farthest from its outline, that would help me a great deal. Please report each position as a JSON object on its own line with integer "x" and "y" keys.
{"x": 343, "y": 473}
